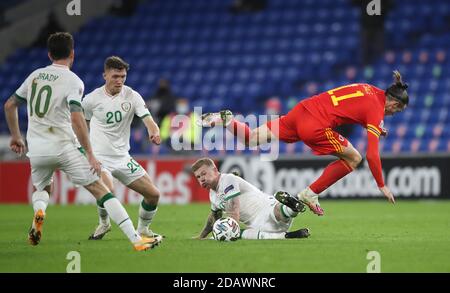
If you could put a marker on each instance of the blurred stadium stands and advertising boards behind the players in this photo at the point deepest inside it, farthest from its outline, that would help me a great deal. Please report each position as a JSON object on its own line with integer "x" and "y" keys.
{"x": 252, "y": 57}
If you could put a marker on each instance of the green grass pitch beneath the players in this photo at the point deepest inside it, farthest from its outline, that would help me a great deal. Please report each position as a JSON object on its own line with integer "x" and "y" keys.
{"x": 412, "y": 236}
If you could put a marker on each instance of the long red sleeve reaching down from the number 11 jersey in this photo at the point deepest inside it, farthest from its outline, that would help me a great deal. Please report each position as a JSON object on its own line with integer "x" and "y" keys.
{"x": 374, "y": 130}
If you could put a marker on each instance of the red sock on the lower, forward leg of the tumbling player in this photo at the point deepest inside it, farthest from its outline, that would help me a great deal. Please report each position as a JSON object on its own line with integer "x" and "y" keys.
{"x": 332, "y": 173}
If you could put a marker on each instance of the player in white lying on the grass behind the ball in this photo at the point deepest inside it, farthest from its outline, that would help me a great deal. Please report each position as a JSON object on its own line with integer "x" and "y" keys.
{"x": 264, "y": 217}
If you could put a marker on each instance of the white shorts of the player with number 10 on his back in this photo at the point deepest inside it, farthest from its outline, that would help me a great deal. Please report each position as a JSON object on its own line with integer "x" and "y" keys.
{"x": 71, "y": 161}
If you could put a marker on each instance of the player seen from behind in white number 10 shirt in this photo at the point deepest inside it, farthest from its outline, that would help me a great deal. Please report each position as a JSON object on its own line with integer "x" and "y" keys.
{"x": 56, "y": 128}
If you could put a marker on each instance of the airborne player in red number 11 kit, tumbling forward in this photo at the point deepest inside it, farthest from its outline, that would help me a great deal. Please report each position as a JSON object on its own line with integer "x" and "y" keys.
{"x": 312, "y": 121}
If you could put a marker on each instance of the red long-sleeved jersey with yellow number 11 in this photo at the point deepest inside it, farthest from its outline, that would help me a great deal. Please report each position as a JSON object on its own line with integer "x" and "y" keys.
{"x": 357, "y": 103}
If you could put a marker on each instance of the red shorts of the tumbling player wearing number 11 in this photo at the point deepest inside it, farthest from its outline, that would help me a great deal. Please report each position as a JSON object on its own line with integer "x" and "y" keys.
{"x": 300, "y": 125}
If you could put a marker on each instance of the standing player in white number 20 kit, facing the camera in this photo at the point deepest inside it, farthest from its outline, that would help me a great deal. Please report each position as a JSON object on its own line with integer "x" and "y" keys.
{"x": 110, "y": 110}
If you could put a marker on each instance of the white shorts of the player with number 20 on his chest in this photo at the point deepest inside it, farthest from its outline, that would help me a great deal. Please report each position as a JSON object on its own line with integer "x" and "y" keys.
{"x": 124, "y": 168}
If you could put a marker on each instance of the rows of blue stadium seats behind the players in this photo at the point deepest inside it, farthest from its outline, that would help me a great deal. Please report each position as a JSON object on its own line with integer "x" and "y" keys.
{"x": 218, "y": 59}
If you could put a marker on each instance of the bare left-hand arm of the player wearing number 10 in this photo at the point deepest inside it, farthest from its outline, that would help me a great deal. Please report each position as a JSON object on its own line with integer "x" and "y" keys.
{"x": 16, "y": 144}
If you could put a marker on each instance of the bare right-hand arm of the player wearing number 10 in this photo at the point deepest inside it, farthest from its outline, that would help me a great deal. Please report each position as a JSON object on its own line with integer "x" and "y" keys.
{"x": 80, "y": 128}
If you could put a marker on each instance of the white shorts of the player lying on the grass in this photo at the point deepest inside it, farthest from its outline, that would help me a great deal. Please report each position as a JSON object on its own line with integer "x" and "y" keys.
{"x": 266, "y": 221}
